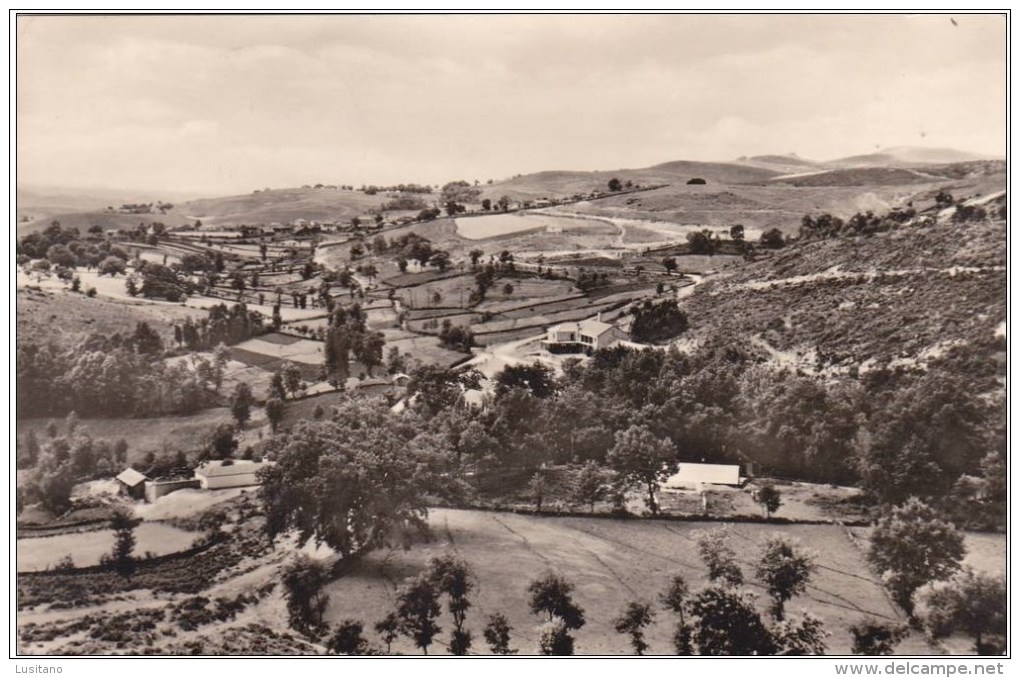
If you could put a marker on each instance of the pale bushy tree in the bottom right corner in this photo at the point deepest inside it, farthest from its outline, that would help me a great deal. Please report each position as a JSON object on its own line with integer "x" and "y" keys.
{"x": 974, "y": 603}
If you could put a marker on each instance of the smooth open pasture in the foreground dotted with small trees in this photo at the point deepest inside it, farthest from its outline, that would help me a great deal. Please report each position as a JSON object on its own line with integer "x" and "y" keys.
{"x": 613, "y": 563}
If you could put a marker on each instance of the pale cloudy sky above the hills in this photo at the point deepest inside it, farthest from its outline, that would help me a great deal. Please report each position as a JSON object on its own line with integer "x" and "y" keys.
{"x": 228, "y": 105}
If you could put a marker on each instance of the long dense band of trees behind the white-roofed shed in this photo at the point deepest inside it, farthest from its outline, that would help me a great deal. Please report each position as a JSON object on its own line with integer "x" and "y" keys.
{"x": 897, "y": 434}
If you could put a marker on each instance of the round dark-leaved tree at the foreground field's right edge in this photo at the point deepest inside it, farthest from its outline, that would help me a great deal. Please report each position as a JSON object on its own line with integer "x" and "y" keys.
{"x": 912, "y": 547}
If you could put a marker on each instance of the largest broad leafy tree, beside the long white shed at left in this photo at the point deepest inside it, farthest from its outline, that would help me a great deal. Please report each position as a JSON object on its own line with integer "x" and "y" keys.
{"x": 354, "y": 483}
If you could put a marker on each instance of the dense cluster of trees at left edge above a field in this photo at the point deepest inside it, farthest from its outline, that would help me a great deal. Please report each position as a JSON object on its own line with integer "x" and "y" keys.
{"x": 107, "y": 377}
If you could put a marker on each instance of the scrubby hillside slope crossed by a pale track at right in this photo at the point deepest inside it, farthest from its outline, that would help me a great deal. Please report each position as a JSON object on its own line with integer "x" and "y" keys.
{"x": 902, "y": 298}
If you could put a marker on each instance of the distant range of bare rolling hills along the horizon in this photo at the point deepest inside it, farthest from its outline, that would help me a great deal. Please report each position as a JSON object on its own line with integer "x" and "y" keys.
{"x": 728, "y": 192}
